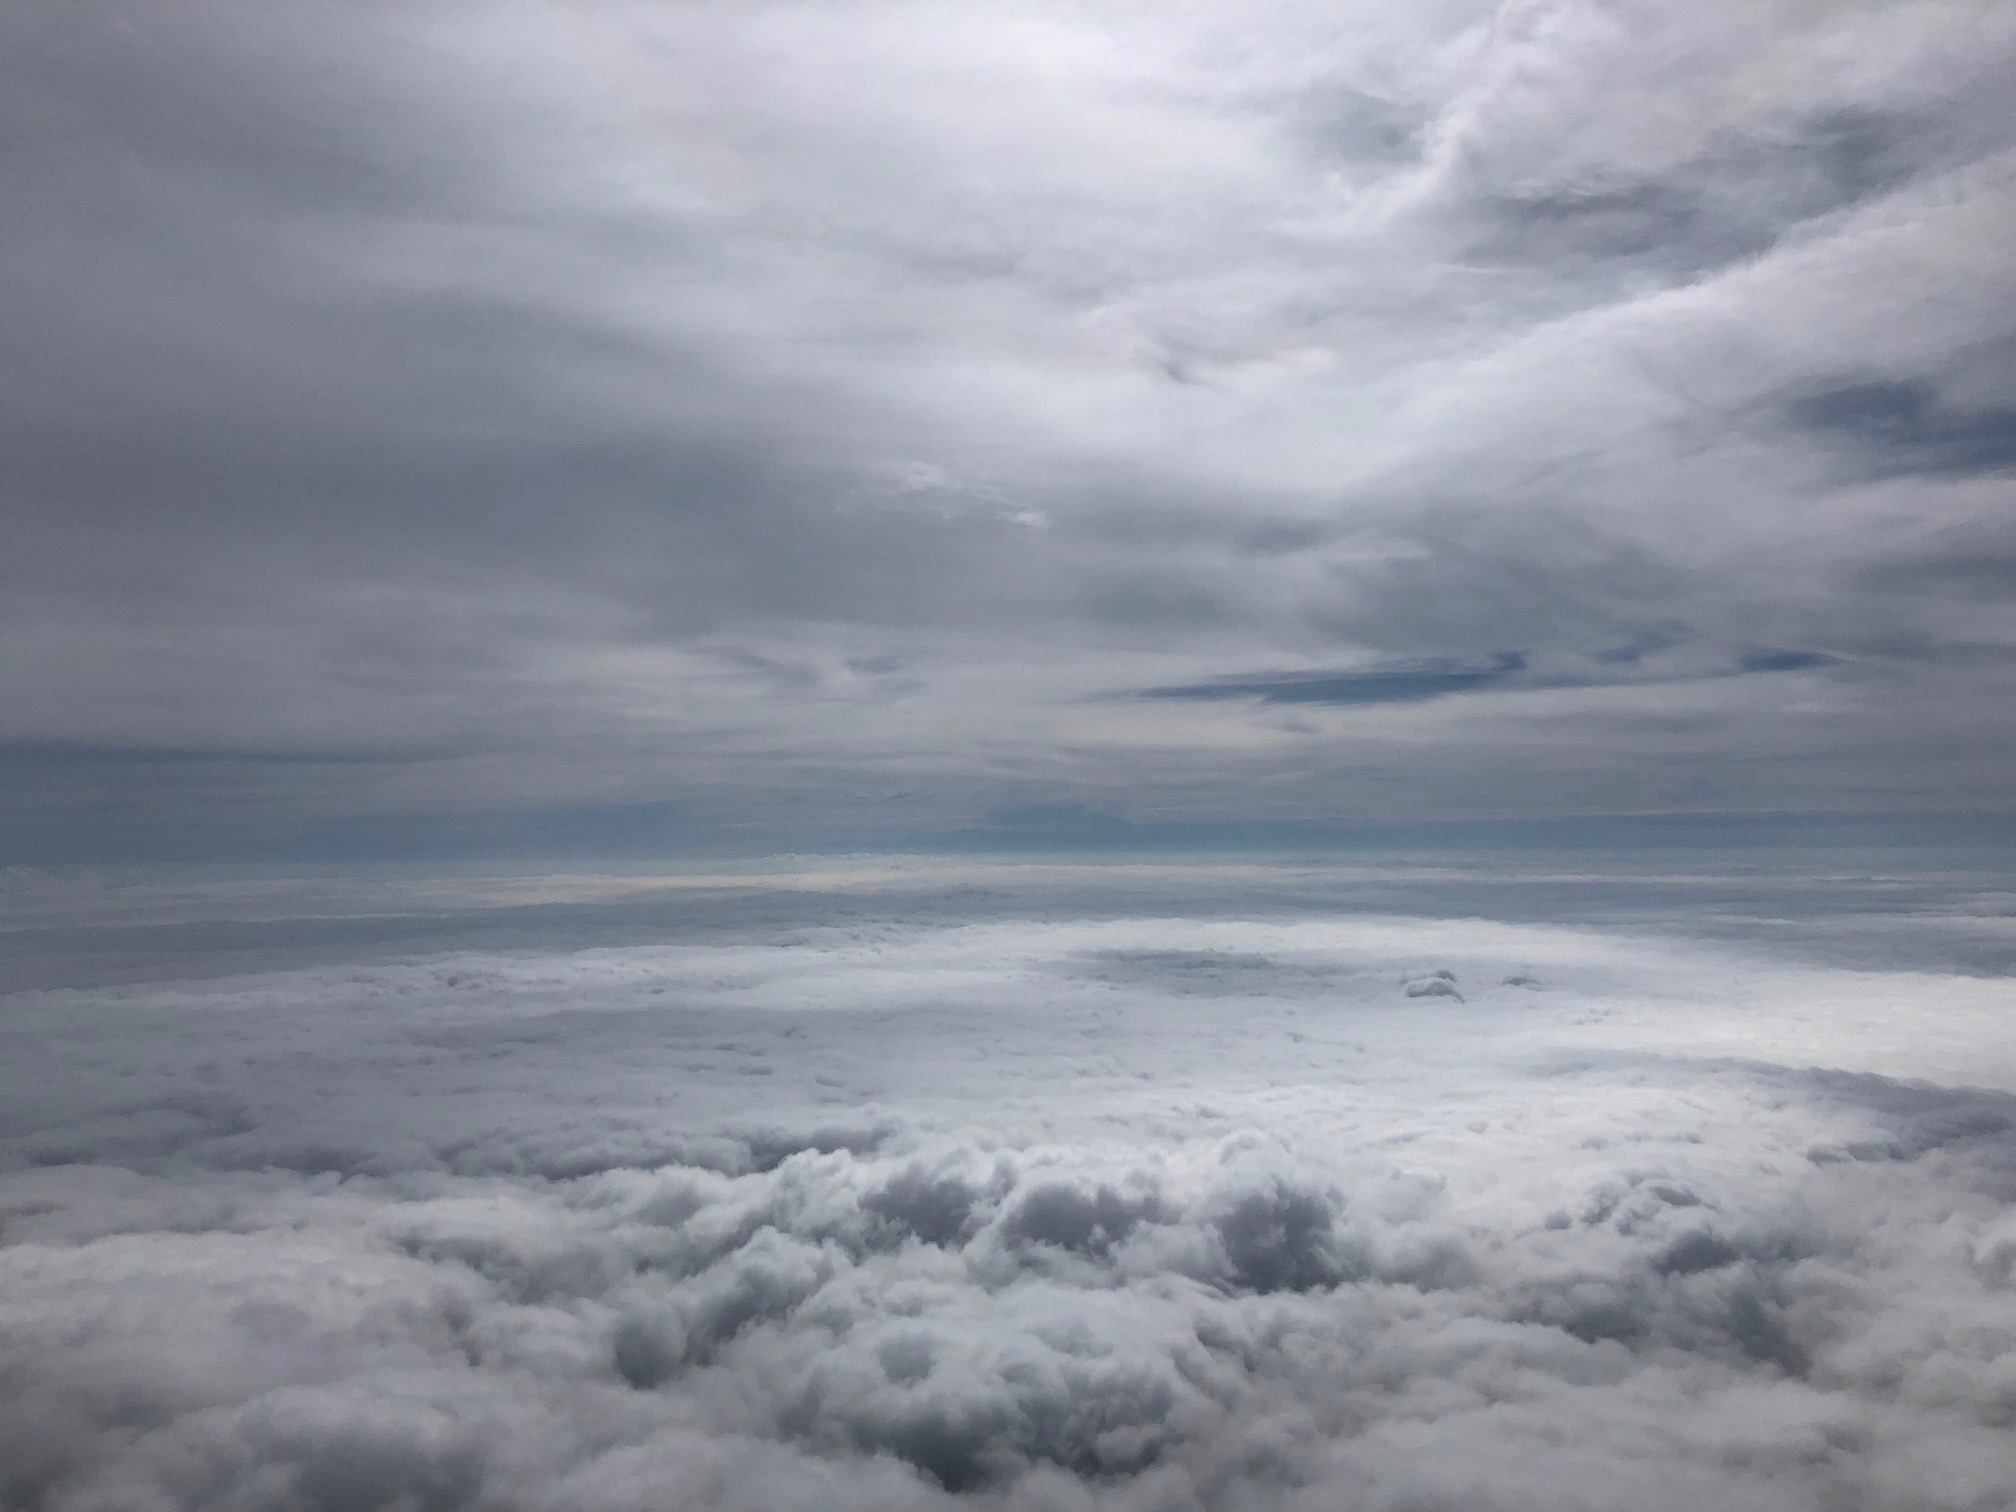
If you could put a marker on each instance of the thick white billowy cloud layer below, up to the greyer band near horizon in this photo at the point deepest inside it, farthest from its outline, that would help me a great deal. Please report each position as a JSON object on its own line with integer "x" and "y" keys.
{"x": 1152, "y": 1211}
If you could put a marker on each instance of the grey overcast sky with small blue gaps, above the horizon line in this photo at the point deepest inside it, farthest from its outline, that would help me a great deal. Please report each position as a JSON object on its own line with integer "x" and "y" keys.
{"x": 789, "y": 422}
